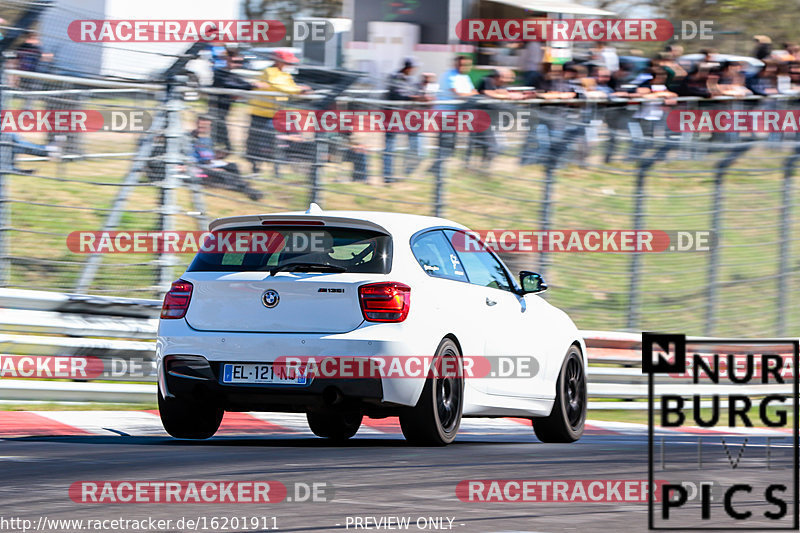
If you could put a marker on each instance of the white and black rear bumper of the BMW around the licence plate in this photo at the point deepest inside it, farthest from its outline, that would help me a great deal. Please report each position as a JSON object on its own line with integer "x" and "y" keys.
{"x": 372, "y": 340}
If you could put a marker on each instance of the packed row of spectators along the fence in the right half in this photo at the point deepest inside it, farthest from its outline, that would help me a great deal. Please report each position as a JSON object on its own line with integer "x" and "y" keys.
{"x": 654, "y": 83}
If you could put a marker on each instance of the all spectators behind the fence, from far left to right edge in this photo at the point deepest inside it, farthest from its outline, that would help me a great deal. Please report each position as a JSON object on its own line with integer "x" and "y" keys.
{"x": 597, "y": 74}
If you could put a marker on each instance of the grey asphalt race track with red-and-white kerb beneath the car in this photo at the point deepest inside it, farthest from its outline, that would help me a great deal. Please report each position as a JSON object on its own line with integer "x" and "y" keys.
{"x": 374, "y": 475}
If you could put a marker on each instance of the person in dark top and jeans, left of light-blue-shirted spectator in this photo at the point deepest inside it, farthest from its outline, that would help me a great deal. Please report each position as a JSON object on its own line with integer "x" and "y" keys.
{"x": 402, "y": 87}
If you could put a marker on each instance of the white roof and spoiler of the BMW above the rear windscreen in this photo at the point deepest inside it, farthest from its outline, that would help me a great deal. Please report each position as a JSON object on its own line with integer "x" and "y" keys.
{"x": 393, "y": 223}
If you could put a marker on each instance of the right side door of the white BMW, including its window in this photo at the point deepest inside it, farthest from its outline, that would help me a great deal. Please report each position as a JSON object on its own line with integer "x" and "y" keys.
{"x": 492, "y": 289}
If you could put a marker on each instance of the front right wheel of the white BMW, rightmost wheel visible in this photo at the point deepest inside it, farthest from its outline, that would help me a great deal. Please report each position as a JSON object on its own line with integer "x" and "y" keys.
{"x": 566, "y": 421}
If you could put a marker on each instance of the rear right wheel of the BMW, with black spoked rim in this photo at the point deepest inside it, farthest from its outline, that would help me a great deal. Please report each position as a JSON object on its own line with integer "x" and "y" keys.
{"x": 434, "y": 421}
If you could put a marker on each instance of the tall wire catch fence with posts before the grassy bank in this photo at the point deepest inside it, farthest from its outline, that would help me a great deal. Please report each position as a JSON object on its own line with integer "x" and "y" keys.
{"x": 578, "y": 164}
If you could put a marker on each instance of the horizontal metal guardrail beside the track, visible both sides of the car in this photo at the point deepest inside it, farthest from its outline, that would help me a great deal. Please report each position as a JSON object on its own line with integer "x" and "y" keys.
{"x": 49, "y": 324}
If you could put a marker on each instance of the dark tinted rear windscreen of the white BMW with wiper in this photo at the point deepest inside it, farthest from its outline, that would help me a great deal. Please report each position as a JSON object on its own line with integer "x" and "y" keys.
{"x": 351, "y": 250}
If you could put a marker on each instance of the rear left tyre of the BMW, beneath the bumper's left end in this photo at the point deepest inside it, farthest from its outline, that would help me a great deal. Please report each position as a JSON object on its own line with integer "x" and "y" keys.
{"x": 186, "y": 419}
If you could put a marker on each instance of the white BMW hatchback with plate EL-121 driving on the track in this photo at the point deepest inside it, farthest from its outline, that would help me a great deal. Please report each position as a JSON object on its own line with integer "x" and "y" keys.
{"x": 370, "y": 285}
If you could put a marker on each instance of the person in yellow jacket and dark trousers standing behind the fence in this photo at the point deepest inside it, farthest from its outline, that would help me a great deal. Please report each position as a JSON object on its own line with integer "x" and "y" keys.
{"x": 261, "y": 136}
